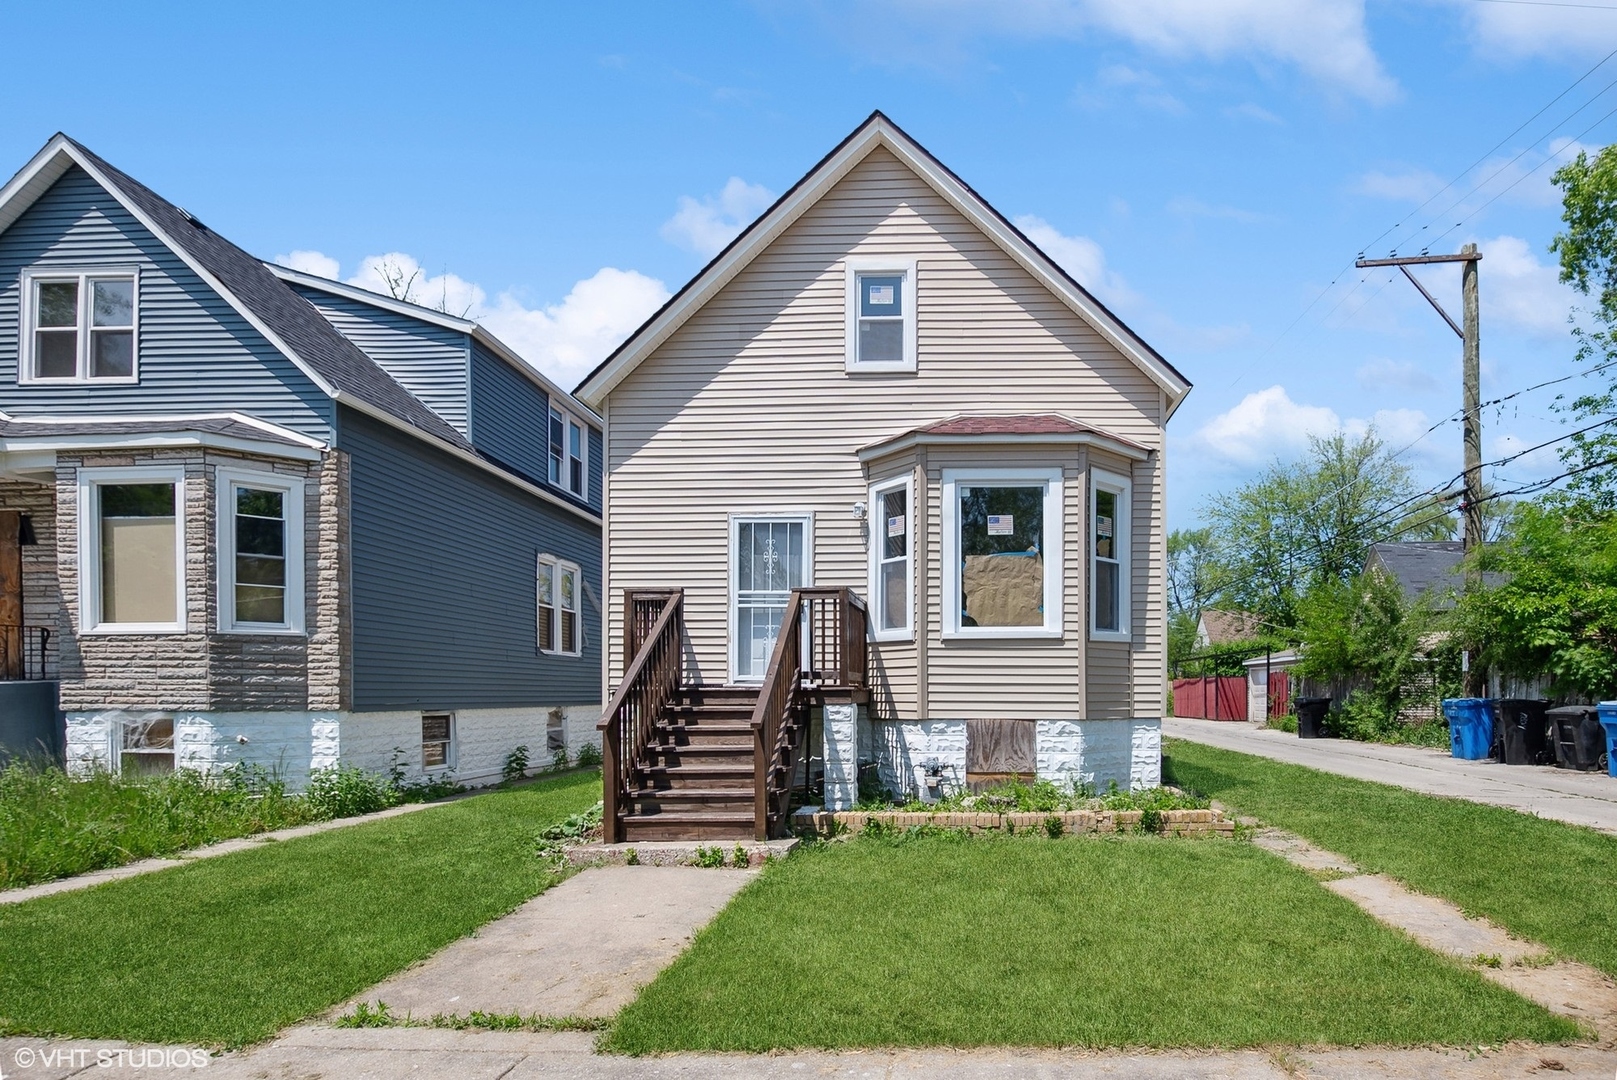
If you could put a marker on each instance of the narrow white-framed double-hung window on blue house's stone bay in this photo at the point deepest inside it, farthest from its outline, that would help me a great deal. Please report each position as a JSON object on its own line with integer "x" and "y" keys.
{"x": 260, "y": 552}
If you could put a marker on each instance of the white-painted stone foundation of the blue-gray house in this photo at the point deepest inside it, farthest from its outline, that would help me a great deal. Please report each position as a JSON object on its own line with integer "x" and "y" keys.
{"x": 295, "y": 745}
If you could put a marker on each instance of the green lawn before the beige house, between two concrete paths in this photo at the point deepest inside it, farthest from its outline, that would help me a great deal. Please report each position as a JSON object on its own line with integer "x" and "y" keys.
{"x": 1081, "y": 942}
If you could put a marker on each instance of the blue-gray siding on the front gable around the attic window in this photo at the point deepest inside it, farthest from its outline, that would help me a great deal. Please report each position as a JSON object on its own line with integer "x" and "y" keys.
{"x": 196, "y": 353}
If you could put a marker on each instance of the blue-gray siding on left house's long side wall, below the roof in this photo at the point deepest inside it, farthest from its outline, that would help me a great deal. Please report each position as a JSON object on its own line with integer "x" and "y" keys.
{"x": 444, "y": 593}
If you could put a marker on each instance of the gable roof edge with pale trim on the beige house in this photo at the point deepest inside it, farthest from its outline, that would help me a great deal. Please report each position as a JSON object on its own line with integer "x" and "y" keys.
{"x": 877, "y": 132}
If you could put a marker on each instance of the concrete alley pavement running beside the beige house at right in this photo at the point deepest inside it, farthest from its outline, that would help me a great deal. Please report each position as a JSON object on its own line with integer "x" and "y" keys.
{"x": 1561, "y": 795}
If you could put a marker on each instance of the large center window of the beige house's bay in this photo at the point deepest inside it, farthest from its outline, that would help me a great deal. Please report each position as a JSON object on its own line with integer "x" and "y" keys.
{"x": 1002, "y": 552}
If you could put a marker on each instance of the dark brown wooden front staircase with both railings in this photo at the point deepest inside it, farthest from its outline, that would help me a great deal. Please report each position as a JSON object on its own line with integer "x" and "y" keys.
{"x": 691, "y": 762}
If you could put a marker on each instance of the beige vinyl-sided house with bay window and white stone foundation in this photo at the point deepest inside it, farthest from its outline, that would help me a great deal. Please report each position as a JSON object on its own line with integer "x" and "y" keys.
{"x": 745, "y": 410}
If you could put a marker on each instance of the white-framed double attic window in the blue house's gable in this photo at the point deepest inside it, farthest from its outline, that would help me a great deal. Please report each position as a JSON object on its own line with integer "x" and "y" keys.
{"x": 80, "y": 327}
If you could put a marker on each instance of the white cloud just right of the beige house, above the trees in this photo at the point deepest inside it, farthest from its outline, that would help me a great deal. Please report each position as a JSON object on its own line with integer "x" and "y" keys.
{"x": 1269, "y": 424}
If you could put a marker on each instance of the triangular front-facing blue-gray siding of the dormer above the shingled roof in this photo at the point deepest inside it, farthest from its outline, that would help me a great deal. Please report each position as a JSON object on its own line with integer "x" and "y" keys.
{"x": 428, "y": 360}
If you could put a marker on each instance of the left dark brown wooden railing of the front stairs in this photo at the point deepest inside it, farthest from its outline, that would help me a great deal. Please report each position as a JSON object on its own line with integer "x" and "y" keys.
{"x": 649, "y": 683}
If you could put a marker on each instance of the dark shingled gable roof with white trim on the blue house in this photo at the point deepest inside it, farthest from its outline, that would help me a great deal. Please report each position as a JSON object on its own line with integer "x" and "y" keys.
{"x": 287, "y": 321}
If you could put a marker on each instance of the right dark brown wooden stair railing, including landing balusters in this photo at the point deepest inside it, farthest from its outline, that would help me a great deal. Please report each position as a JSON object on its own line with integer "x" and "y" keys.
{"x": 835, "y": 626}
